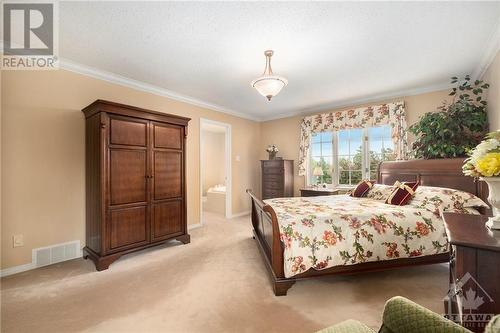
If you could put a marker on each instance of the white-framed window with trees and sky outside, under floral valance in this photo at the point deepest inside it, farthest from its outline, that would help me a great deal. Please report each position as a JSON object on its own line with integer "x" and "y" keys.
{"x": 348, "y": 156}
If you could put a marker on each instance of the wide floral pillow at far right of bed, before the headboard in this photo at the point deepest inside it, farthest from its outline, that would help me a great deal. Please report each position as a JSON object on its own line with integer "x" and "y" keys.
{"x": 441, "y": 199}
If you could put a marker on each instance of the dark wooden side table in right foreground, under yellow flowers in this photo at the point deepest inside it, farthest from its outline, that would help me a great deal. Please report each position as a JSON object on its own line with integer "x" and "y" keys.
{"x": 474, "y": 270}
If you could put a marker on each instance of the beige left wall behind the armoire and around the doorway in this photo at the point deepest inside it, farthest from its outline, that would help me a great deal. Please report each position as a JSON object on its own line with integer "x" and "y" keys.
{"x": 43, "y": 155}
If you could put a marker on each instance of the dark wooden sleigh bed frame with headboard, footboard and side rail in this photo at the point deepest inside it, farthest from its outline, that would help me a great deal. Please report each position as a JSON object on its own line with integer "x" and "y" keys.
{"x": 442, "y": 173}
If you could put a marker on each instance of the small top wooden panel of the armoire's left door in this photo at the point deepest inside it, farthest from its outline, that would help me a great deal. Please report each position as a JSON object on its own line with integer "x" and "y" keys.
{"x": 128, "y": 132}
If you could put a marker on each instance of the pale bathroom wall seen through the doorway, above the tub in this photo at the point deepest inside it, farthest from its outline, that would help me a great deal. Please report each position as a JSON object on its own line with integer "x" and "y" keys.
{"x": 213, "y": 159}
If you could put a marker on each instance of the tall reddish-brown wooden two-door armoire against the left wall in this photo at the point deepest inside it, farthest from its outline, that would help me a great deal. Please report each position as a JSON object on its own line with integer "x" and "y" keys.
{"x": 135, "y": 180}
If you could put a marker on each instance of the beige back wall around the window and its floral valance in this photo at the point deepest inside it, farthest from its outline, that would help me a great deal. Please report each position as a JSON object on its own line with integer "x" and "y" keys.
{"x": 285, "y": 133}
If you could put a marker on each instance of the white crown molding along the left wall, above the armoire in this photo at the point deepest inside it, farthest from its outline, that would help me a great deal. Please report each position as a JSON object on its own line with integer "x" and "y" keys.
{"x": 79, "y": 68}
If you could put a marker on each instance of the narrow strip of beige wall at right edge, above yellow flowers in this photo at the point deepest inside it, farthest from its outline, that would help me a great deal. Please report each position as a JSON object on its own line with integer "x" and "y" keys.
{"x": 492, "y": 76}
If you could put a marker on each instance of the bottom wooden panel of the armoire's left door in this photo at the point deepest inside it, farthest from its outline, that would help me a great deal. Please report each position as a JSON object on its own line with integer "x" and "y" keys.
{"x": 127, "y": 227}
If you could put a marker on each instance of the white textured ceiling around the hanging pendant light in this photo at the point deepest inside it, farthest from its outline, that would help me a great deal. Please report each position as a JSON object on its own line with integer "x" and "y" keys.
{"x": 332, "y": 53}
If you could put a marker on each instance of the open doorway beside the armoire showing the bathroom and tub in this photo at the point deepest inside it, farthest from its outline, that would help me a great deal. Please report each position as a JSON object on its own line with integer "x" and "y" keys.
{"x": 215, "y": 168}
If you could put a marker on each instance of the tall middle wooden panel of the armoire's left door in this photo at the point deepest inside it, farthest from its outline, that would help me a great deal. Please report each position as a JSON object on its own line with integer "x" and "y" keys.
{"x": 127, "y": 176}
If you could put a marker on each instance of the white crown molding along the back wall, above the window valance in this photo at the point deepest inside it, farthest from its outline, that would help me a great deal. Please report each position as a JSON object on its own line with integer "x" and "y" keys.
{"x": 355, "y": 102}
